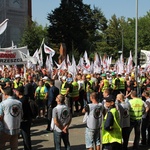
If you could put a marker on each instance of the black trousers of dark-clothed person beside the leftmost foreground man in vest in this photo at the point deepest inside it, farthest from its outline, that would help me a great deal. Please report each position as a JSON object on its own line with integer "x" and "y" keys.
{"x": 25, "y": 131}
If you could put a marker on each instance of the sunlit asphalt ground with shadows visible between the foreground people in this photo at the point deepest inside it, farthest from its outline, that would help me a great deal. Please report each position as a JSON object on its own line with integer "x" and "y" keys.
{"x": 42, "y": 140}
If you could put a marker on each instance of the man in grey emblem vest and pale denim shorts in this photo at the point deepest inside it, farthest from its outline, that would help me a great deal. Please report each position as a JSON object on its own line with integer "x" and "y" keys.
{"x": 93, "y": 122}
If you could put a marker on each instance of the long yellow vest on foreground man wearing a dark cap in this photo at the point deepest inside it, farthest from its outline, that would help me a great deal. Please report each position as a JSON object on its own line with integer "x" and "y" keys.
{"x": 115, "y": 135}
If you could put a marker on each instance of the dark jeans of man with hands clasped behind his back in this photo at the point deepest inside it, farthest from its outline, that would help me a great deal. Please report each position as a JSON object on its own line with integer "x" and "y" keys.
{"x": 57, "y": 140}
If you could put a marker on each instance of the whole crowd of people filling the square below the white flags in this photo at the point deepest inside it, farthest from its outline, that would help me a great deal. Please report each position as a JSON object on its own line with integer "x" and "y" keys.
{"x": 113, "y": 104}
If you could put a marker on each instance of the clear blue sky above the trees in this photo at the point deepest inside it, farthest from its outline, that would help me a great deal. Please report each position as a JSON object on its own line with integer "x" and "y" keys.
{"x": 126, "y": 8}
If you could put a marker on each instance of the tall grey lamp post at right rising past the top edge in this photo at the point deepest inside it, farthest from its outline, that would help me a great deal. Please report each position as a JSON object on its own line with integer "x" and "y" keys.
{"x": 136, "y": 40}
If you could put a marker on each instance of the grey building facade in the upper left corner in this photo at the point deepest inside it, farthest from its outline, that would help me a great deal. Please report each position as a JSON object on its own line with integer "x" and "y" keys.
{"x": 18, "y": 12}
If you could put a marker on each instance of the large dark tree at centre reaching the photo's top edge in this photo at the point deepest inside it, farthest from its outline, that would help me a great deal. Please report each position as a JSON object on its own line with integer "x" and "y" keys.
{"x": 75, "y": 24}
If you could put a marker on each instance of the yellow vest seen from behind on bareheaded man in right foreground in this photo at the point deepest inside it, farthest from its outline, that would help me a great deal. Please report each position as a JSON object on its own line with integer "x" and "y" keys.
{"x": 136, "y": 110}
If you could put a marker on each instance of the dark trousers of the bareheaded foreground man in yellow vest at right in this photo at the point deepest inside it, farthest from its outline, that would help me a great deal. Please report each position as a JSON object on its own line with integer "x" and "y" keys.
{"x": 136, "y": 125}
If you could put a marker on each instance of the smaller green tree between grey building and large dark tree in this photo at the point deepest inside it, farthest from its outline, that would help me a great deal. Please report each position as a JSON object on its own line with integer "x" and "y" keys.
{"x": 33, "y": 36}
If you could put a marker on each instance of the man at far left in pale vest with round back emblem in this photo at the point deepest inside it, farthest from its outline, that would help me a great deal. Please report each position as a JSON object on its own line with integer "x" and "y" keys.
{"x": 11, "y": 115}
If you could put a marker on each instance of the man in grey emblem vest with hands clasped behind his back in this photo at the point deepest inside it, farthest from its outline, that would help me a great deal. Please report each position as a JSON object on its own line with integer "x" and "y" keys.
{"x": 62, "y": 119}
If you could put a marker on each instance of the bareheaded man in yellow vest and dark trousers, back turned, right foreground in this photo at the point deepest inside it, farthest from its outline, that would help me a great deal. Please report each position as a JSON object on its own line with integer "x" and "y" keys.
{"x": 136, "y": 110}
